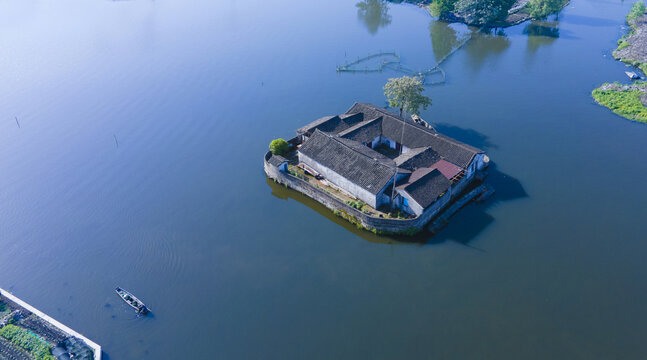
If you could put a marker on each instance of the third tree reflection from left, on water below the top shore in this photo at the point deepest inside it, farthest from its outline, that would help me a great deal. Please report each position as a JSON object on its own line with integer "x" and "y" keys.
{"x": 486, "y": 43}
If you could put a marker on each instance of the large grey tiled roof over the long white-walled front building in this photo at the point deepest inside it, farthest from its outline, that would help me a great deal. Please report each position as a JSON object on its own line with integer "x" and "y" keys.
{"x": 350, "y": 159}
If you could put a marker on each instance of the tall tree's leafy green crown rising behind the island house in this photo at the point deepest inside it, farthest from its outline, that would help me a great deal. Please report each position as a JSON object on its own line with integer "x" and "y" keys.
{"x": 405, "y": 93}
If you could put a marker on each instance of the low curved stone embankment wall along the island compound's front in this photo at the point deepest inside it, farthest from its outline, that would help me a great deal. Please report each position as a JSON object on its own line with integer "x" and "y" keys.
{"x": 378, "y": 225}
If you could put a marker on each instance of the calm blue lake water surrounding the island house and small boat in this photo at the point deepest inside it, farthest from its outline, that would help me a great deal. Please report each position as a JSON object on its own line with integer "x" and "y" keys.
{"x": 138, "y": 163}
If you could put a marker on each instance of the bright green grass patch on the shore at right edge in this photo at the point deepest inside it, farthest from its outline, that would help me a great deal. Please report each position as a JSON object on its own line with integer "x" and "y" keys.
{"x": 624, "y": 103}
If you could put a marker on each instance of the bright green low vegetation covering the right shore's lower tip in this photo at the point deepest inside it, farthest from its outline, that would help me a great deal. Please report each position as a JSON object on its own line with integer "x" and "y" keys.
{"x": 623, "y": 100}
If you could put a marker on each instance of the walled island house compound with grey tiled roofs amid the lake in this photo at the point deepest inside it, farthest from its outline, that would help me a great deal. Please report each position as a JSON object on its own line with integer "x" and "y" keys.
{"x": 378, "y": 170}
